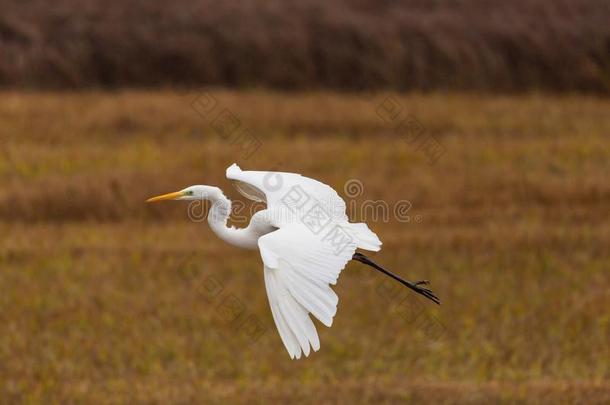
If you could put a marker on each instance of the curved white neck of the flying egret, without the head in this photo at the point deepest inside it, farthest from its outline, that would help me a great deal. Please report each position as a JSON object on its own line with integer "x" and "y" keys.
{"x": 218, "y": 217}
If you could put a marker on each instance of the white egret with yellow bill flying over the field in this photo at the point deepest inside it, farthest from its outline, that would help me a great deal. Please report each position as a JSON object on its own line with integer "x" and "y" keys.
{"x": 304, "y": 238}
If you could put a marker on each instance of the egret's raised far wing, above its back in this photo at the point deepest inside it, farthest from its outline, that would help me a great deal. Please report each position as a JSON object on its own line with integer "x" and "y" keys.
{"x": 288, "y": 190}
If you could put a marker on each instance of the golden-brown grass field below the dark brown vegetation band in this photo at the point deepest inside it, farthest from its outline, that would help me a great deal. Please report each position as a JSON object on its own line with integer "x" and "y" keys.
{"x": 106, "y": 299}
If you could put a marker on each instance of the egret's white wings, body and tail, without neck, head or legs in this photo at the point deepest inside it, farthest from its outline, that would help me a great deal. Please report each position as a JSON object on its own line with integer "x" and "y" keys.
{"x": 300, "y": 260}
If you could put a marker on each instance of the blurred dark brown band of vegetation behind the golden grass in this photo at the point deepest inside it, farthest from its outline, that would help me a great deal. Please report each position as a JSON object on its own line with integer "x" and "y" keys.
{"x": 490, "y": 45}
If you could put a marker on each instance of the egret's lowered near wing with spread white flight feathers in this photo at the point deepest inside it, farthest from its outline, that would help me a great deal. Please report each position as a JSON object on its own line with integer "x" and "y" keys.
{"x": 299, "y": 266}
